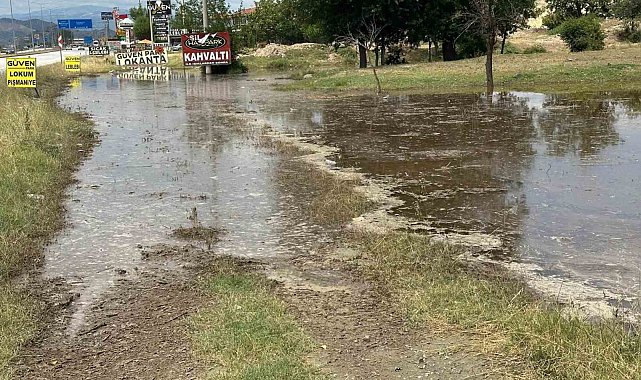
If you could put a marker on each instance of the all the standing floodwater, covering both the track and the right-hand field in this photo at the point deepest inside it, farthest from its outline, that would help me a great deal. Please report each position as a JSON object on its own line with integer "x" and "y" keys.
{"x": 556, "y": 178}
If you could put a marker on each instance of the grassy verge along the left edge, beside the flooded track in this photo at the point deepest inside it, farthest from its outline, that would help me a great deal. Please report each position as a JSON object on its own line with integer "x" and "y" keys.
{"x": 40, "y": 147}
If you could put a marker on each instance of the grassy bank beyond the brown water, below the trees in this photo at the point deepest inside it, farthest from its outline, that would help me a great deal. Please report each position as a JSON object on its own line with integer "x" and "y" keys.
{"x": 550, "y": 72}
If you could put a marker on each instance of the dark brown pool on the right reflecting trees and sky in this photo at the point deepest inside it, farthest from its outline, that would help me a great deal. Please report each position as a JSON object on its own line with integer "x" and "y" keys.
{"x": 556, "y": 177}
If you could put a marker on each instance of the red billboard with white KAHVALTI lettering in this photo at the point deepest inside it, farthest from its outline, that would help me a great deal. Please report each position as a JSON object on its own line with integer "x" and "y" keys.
{"x": 206, "y": 49}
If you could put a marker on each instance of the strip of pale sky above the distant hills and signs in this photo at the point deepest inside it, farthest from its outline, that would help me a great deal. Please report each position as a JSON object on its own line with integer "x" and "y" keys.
{"x": 21, "y": 6}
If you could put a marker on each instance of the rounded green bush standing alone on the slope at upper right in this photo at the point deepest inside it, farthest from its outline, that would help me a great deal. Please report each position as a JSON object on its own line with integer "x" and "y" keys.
{"x": 583, "y": 33}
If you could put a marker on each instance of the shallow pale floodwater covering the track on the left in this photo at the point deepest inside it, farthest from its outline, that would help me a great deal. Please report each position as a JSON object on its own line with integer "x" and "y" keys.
{"x": 164, "y": 153}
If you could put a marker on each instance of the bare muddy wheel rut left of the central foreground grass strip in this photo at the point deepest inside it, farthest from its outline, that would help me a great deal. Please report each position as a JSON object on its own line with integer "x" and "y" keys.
{"x": 136, "y": 331}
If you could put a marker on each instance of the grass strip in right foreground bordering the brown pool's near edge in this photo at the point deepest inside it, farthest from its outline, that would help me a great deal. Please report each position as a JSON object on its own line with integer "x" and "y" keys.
{"x": 433, "y": 287}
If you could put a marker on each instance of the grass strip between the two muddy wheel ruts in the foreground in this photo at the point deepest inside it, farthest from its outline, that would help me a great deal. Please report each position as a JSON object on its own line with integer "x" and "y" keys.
{"x": 247, "y": 333}
